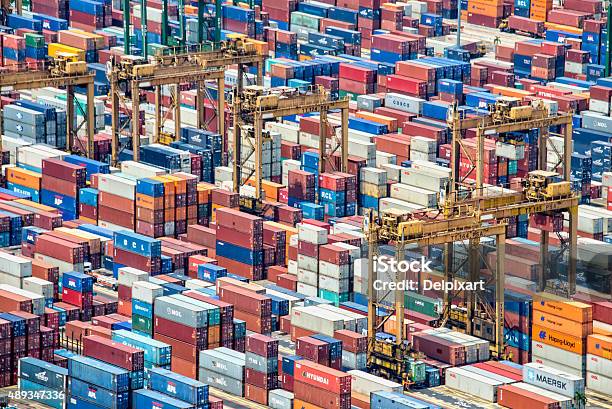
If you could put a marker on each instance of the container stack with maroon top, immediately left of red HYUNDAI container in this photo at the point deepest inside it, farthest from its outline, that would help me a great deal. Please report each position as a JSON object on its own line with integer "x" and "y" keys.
{"x": 261, "y": 374}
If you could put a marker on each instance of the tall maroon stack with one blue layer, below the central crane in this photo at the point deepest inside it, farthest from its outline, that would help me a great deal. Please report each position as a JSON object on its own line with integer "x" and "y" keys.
{"x": 241, "y": 249}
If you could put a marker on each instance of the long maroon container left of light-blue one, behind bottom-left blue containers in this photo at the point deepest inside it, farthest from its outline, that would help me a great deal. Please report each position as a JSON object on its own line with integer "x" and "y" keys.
{"x": 113, "y": 353}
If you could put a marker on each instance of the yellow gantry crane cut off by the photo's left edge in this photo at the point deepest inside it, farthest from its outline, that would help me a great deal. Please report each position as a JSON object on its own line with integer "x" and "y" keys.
{"x": 61, "y": 72}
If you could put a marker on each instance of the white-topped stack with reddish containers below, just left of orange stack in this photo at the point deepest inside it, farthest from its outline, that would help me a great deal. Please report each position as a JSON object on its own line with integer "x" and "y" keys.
{"x": 116, "y": 201}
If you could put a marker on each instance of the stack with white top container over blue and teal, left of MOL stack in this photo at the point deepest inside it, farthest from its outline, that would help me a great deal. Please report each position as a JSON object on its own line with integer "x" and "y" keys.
{"x": 143, "y": 298}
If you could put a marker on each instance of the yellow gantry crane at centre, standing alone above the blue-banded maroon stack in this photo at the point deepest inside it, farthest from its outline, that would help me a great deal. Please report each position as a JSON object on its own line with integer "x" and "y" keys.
{"x": 254, "y": 104}
